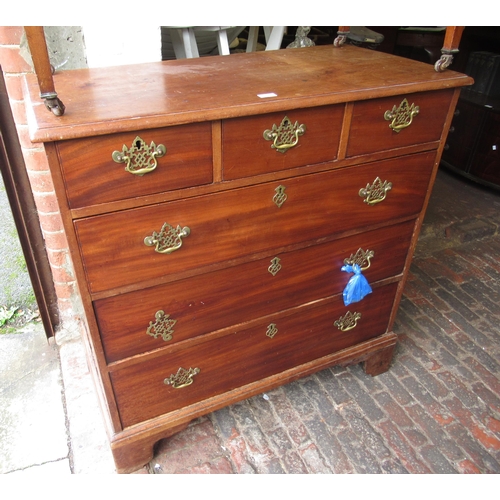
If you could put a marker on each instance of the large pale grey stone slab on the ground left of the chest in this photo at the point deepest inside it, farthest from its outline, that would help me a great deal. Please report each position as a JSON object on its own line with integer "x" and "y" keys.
{"x": 32, "y": 417}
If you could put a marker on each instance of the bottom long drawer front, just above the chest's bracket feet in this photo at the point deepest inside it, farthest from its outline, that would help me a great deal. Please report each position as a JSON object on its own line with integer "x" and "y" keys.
{"x": 247, "y": 355}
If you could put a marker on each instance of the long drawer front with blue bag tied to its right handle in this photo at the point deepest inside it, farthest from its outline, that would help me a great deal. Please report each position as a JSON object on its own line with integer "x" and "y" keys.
{"x": 156, "y": 317}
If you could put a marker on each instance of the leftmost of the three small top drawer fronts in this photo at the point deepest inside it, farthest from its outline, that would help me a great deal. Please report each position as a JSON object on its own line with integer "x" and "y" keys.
{"x": 92, "y": 176}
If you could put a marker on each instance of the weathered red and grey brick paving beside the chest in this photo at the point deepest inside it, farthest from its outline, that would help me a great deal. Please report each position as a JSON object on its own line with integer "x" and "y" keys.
{"x": 437, "y": 410}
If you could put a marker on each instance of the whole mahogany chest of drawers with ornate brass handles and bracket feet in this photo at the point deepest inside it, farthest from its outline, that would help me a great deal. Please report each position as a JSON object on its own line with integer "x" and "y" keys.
{"x": 211, "y": 206}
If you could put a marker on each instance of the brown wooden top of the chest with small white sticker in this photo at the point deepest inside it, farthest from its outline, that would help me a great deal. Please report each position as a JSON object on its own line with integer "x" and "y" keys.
{"x": 151, "y": 95}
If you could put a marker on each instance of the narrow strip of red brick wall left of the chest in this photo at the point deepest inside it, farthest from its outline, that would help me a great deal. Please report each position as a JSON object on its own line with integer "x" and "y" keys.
{"x": 14, "y": 67}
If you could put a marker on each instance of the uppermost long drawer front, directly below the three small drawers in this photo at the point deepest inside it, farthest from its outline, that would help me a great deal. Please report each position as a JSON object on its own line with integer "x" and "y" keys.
{"x": 245, "y": 221}
